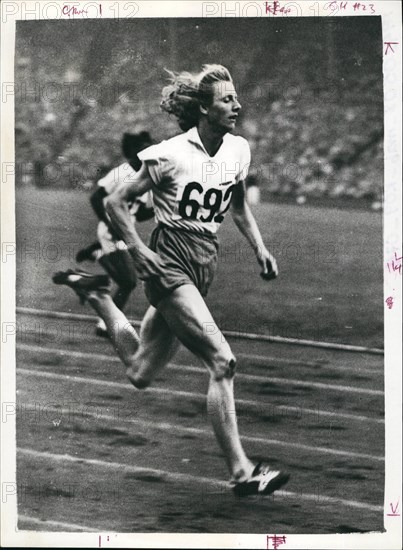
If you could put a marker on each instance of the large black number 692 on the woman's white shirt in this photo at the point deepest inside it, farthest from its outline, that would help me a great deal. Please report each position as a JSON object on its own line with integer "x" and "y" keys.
{"x": 206, "y": 205}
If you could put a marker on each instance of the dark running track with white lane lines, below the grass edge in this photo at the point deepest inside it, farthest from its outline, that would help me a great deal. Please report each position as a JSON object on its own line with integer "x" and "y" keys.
{"x": 94, "y": 454}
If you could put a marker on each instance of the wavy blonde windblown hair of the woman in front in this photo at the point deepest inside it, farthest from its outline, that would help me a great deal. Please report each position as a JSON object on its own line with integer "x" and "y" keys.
{"x": 187, "y": 91}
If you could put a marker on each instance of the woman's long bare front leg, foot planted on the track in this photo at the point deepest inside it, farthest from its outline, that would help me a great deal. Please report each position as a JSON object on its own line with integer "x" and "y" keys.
{"x": 188, "y": 317}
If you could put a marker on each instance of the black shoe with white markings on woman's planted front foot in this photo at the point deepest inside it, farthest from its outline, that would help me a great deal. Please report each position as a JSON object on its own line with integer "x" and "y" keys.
{"x": 262, "y": 482}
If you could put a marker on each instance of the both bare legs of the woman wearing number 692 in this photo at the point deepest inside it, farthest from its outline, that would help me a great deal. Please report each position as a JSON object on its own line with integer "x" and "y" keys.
{"x": 184, "y": 314}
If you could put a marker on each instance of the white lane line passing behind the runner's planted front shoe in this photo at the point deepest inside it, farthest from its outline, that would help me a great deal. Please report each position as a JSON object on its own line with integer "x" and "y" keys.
{"x": 188, "y": 478}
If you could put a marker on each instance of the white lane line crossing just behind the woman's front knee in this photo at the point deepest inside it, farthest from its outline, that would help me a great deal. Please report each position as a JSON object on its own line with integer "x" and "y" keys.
{"x": 199, "y": 370}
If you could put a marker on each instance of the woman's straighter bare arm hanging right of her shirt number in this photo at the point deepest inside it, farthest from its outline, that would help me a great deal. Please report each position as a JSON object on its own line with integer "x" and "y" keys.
{"x": 247, "y": 225}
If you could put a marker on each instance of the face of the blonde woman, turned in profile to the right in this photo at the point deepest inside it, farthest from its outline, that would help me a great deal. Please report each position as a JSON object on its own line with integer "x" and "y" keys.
{"x": 224, "y": 109}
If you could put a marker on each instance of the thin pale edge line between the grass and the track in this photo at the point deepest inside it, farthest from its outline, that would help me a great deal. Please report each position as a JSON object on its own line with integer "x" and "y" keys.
{"x": 229, "y": 333}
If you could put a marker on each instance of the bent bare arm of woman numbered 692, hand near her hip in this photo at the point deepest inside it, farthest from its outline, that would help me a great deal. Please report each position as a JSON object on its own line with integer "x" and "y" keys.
{"x": 116, "y": 205}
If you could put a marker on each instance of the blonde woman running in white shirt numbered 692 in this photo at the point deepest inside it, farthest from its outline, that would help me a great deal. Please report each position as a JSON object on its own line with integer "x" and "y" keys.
{"x": 194, "y": 178}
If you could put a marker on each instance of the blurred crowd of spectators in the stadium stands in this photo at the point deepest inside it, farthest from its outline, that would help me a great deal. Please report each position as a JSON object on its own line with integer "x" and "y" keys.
{"x": 314, "y": 131}
